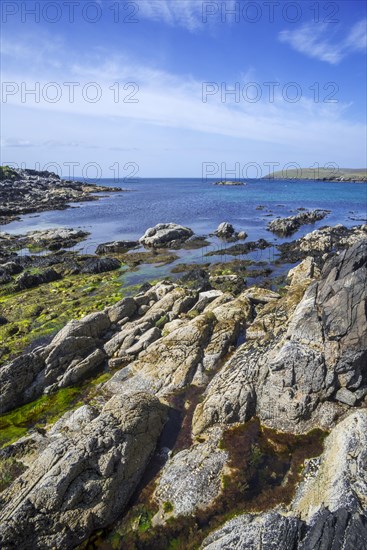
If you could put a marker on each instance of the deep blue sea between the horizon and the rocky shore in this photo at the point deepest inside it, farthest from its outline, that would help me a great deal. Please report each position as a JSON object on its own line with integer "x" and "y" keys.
{"x": 201, "y": 206}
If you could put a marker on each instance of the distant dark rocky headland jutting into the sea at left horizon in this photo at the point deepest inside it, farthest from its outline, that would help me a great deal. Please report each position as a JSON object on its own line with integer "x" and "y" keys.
{"x": 29, "y": 191}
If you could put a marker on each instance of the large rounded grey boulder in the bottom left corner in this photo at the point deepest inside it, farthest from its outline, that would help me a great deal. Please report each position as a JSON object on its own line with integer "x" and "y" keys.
{"x": 83, "y": 479}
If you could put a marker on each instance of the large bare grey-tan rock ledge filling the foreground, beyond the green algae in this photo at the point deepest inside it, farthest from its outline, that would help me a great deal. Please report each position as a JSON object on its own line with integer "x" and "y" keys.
{"x": 291, "y": 364}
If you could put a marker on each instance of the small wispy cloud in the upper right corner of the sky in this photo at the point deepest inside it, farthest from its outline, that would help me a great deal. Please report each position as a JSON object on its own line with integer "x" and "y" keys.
{"x": 310, "y": 40}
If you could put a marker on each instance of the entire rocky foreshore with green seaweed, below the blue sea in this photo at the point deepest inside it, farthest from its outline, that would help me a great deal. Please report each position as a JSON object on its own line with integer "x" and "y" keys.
{"x": 192, "y": 413}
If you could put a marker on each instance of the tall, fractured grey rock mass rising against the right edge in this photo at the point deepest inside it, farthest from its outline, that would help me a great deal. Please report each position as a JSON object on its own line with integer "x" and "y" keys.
{"x": 300, "y": 361}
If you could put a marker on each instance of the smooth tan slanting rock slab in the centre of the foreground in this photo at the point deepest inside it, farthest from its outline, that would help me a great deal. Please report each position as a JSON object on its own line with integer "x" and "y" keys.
{"x": 171, "y": 363}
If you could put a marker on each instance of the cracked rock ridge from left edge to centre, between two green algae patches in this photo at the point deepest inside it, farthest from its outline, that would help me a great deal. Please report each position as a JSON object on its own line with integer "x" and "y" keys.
{"x": 132, "y": 334}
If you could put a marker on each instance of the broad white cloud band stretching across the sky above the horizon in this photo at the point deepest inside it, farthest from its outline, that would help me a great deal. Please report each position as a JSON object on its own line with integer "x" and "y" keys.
{"x": 169, "y": 105}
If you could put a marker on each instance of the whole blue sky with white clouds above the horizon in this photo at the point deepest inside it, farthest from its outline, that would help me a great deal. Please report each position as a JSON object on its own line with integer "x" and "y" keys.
{"x": 182, "y": 88}
